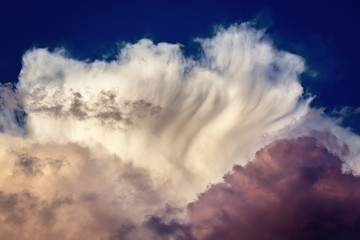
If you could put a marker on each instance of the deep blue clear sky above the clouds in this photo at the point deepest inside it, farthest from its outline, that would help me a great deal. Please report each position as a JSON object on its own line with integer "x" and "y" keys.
{"x": 326, "y": 34}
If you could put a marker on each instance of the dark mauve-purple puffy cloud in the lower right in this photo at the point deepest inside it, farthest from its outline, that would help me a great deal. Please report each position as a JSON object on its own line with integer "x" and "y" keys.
{"x": 294, "y": 189}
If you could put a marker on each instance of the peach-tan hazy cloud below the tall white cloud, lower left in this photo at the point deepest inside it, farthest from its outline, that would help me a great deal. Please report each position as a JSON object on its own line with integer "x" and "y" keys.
{"x": 68, "y": 191}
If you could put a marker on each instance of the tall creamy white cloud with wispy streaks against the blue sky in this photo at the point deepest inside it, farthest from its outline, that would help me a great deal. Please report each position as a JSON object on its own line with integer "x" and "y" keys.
{"x": 179, "y": 117}
